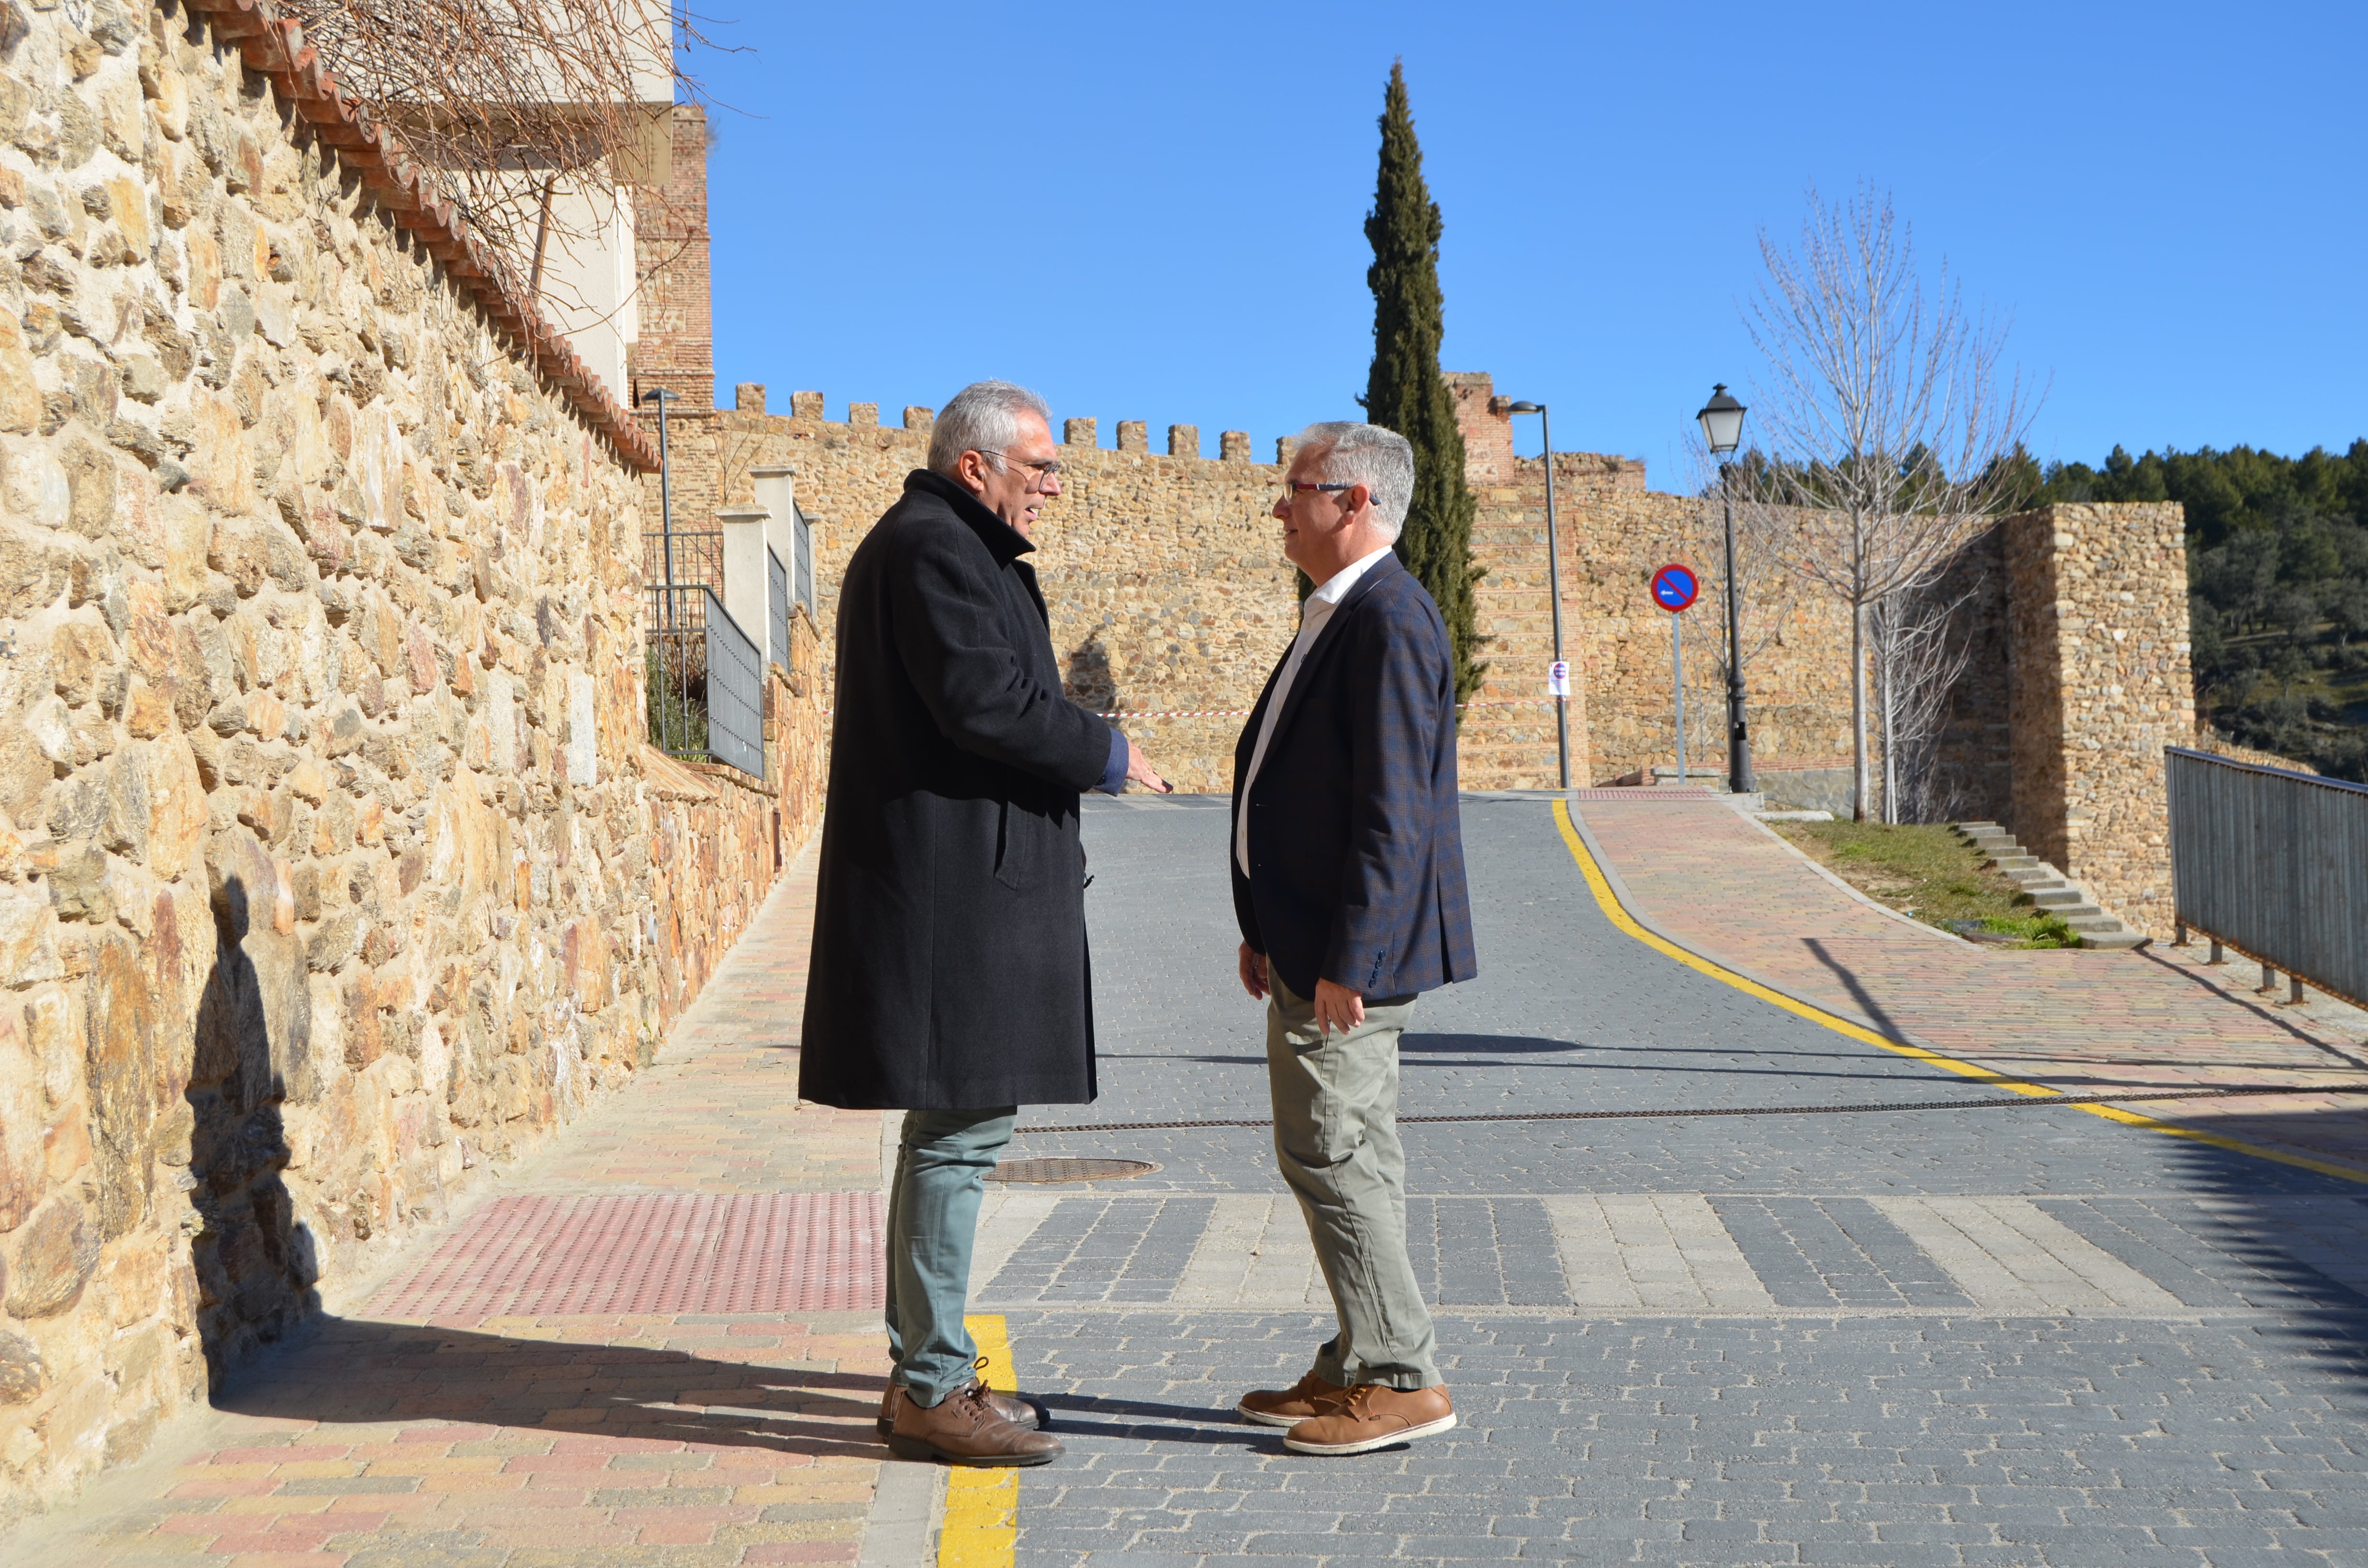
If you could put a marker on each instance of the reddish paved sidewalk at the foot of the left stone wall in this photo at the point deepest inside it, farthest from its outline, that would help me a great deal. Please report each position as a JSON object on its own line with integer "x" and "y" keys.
{"x": 652, "y": 1344}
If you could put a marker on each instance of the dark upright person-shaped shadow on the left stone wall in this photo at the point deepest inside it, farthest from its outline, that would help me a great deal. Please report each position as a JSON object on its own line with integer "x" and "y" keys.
{"x": 255, "y": 1264}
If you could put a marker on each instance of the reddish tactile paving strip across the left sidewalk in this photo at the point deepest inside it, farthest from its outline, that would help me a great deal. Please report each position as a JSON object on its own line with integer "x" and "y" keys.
{"x": 546, "y": 1257}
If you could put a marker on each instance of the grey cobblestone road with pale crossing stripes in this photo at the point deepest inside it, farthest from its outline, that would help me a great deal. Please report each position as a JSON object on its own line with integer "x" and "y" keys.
{"x": 1943, "y": 1337}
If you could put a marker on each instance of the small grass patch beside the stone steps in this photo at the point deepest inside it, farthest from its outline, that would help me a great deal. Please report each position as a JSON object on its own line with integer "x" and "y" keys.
{"x": 1931, "y": 875}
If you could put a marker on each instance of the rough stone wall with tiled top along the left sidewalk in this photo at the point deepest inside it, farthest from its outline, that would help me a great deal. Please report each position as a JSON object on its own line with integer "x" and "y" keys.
{"x": 333, "y": 866}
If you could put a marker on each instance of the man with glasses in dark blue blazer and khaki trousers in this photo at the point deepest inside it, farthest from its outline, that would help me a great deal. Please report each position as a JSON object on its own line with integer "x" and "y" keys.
{"x": 1349, "y": 885}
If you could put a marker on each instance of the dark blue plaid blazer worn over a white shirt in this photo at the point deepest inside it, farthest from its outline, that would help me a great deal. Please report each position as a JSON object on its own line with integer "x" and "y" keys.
{"x": 1356, "y": 837}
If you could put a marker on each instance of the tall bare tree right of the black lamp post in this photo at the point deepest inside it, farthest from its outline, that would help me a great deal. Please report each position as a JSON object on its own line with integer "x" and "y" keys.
{"x": 1884, "y": 416}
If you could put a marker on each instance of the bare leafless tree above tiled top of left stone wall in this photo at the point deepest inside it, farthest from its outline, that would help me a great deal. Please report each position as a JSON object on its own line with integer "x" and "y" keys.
{"x": 536, "y": 115}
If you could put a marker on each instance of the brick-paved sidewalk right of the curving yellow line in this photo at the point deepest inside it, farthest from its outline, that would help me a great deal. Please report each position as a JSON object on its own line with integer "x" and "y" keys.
{"x": 2147, "y": 1020}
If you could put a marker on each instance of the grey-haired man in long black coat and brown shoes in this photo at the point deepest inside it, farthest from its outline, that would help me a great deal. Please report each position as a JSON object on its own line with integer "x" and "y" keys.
{"x": 948, "y": 975}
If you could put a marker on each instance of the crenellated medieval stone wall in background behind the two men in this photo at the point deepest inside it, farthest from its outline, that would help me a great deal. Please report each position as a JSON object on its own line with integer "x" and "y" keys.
{"x": 1169, "y": 589}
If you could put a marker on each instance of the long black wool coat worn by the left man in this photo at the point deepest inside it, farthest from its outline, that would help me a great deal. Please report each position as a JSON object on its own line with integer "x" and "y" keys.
{"x": 948, "y": 965}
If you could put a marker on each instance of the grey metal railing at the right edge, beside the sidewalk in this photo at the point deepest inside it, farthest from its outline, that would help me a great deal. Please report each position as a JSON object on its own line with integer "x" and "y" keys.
{"x": 2272, "y": 863}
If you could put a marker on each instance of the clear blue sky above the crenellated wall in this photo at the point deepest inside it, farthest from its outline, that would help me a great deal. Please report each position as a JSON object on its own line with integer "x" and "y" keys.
{"x": 1157, "y": 212}
